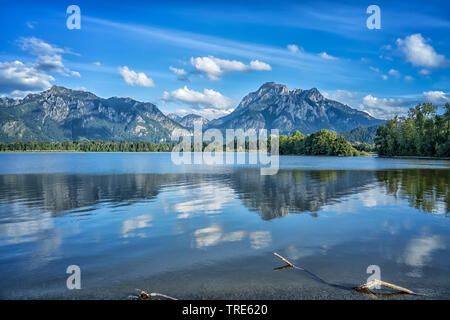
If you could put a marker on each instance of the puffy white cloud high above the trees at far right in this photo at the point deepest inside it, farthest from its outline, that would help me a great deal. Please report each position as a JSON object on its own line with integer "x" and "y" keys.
{"x": 419, "y": 53}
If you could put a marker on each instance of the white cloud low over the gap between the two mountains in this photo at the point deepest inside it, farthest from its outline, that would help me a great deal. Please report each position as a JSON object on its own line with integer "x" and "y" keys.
{"x": 207, "y": 98}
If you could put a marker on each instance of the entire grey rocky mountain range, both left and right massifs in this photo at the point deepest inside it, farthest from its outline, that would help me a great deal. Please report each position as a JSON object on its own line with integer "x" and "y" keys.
{"x": 61, "y": 114}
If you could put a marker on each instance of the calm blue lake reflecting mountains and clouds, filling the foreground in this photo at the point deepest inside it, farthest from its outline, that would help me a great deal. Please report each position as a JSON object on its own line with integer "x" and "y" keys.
{"x": 137, "y": 221}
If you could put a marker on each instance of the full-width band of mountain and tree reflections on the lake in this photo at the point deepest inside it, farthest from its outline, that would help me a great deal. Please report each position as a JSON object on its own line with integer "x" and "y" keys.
{"x": 290, "y": 191}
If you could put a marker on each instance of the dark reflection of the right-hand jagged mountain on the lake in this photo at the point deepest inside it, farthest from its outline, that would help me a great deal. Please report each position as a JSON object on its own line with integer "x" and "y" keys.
{"x": 296, "y": 191}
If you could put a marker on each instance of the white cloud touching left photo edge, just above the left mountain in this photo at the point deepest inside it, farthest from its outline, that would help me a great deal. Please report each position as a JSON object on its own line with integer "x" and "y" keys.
{"x": 17, "y": 76}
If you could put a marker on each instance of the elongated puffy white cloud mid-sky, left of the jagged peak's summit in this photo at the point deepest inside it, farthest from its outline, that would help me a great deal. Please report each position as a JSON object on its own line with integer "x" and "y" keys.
{"x": 215, "y": 67}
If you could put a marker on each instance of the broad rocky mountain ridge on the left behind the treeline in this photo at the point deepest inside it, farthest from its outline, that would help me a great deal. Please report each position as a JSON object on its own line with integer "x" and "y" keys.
{"x": 60, "y": 114}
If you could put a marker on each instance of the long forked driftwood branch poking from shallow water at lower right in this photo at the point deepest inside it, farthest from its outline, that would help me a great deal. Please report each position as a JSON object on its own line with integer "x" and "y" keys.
{"x": 364, "y": 289}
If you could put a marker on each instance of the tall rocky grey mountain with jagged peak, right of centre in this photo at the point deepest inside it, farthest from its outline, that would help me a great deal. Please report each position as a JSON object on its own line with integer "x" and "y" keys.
{"x": 274, "y": 106}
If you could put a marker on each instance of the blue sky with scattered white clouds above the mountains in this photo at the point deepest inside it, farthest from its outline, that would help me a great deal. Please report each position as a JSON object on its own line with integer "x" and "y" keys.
{"x": 204, "y": 57}
